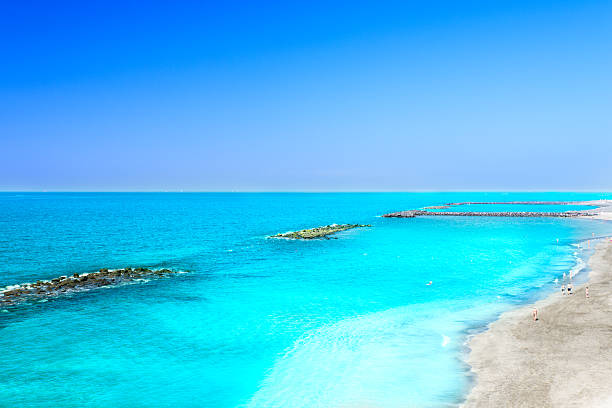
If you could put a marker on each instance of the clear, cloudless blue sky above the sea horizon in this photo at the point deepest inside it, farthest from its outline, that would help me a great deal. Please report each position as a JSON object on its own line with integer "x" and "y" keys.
{"x": 421, "y": 95}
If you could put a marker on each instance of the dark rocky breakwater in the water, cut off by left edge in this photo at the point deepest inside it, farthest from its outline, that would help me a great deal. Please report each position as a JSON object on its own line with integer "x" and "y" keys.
{"x": 76, "y": 282}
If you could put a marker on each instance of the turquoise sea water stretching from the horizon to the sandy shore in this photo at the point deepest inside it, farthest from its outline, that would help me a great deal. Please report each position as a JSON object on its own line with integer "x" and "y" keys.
{"x": 257, "y": 322}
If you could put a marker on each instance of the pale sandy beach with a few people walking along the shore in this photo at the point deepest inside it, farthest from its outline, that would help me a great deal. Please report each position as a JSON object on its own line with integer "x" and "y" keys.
{"x": 562, "y": 360}
